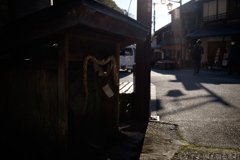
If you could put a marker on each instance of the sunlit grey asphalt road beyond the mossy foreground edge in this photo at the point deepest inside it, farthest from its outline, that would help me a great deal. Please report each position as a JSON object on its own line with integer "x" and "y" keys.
{"x": 206, "y": 107}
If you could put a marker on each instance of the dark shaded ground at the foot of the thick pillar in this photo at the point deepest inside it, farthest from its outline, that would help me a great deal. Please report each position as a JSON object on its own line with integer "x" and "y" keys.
{"x": 130, "y": 146}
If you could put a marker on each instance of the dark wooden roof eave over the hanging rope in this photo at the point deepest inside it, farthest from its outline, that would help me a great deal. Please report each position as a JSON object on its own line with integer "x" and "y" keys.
{"x": 74, "y": 17}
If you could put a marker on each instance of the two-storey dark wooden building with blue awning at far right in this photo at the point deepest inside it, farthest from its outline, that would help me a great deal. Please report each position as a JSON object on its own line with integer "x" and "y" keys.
{"x": 220, "y": 21}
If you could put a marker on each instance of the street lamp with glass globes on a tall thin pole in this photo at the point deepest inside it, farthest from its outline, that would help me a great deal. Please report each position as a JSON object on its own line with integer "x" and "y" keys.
{"x": 169, "y": 6}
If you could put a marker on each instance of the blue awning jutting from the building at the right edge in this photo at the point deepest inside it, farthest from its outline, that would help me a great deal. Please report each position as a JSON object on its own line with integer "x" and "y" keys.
{"x": 216, "y": 31}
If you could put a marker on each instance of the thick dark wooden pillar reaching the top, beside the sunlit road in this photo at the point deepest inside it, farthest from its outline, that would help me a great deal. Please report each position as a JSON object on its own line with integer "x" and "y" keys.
{"x": 143, "y": 58}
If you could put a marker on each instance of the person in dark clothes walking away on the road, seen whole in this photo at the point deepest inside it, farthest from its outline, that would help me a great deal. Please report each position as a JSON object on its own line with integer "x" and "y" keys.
{"x": 197, "y": 56}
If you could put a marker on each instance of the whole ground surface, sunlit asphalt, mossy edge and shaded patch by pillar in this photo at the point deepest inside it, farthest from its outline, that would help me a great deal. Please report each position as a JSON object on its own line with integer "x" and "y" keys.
{"x": 199, "y": 118}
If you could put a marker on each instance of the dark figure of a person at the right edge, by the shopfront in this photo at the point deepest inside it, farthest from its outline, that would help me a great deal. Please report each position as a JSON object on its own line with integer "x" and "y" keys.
{"x": 233, "y": 58}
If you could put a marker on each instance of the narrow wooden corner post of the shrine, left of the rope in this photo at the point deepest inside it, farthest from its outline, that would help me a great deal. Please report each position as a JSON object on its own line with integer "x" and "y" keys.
{"x": 63, "y": 94}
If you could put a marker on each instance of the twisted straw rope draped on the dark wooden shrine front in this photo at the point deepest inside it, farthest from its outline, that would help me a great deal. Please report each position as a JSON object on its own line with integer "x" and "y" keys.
{"x": 99, "y": 62}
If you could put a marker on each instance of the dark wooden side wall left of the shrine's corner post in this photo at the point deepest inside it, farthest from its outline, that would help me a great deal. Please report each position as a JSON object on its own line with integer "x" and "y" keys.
{"x": 30, "y": 107}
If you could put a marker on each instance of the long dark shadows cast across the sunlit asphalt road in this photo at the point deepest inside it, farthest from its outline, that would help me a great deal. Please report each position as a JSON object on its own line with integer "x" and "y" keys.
{"x": 193, "y": 83}
